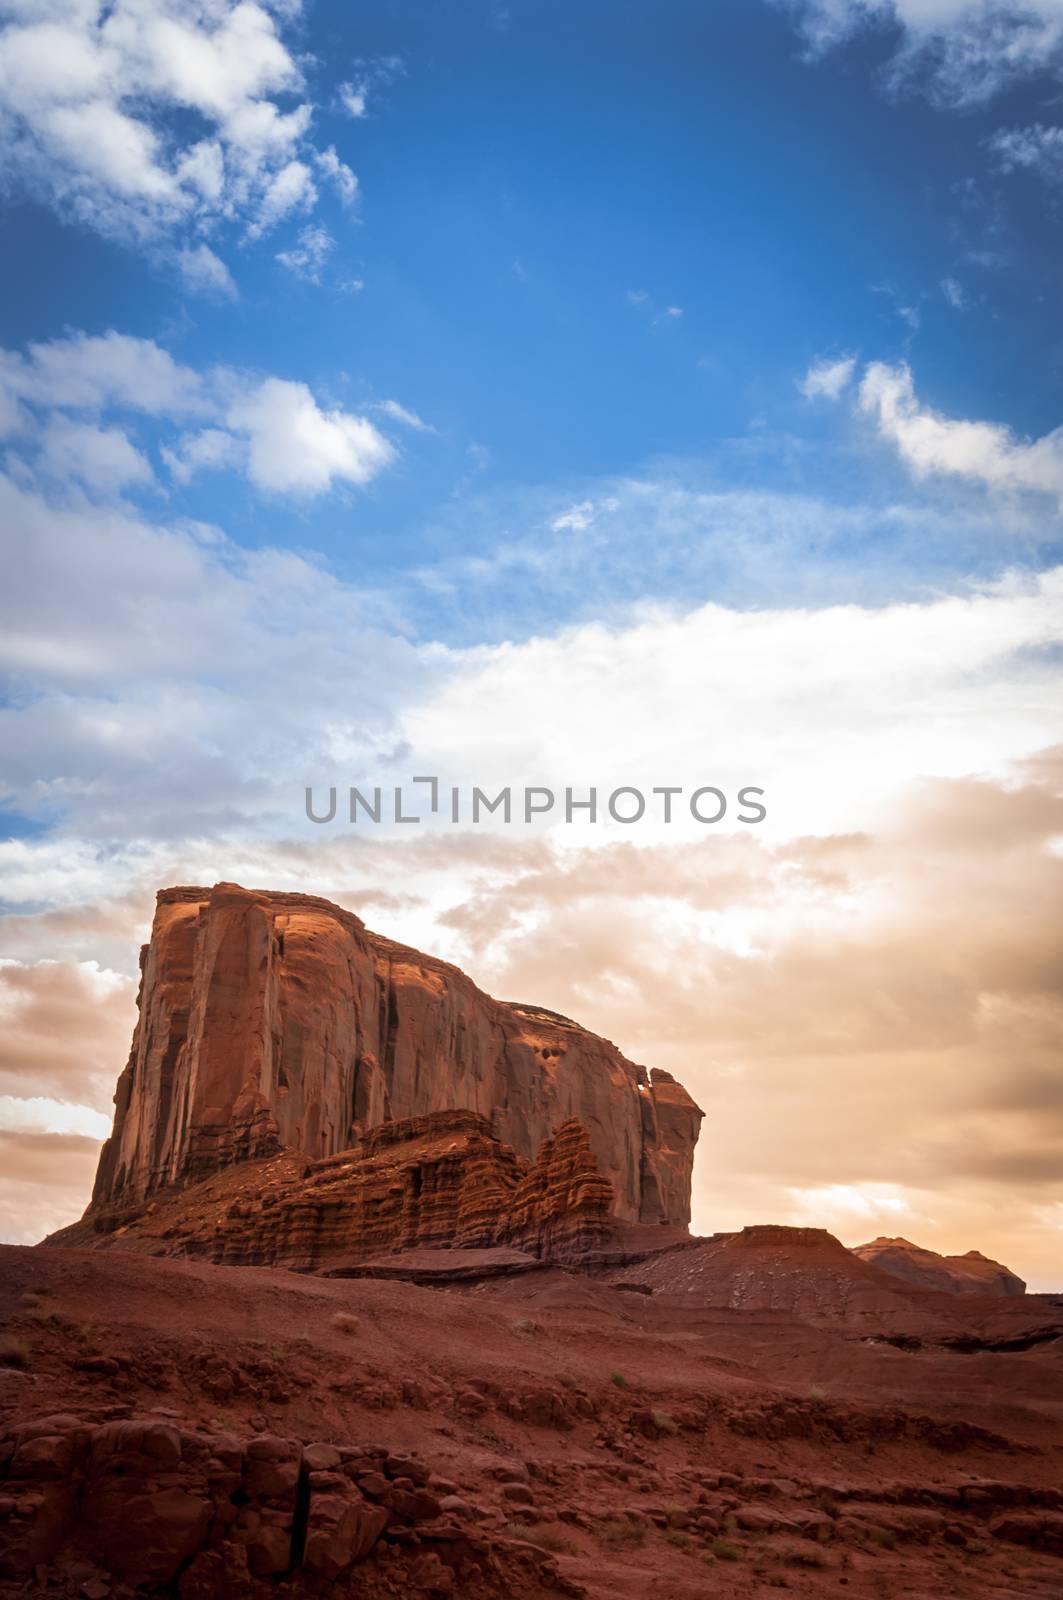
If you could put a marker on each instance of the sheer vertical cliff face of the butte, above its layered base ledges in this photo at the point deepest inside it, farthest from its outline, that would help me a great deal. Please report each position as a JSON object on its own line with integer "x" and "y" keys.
{"x": 279, "y": 1022}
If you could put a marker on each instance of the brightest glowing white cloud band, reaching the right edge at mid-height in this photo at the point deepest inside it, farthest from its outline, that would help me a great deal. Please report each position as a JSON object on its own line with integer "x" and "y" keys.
{"x": 736, "y": 698}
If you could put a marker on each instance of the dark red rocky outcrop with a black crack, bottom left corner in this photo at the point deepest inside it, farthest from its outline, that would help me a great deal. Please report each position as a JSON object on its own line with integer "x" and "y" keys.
{"x": 175, "y": 1510}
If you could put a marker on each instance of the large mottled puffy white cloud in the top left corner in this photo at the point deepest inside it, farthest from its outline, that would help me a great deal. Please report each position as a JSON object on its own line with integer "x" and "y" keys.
{"x": 153, "y": 116}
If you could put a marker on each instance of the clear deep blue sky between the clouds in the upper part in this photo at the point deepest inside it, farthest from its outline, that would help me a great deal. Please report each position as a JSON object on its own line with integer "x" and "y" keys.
{"x": 537, "y": 191}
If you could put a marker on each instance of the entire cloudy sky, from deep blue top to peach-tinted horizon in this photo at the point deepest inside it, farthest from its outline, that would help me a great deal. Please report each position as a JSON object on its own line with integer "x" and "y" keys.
{"x": 564, "y": 396}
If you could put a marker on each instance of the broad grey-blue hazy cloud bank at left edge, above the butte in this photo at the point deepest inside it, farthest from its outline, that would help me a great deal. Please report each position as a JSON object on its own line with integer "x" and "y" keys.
{"x": 175, "y": 684}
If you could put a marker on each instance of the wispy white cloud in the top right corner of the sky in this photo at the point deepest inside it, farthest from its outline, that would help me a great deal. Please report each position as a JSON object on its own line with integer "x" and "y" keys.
{"x": 961, "y": 52}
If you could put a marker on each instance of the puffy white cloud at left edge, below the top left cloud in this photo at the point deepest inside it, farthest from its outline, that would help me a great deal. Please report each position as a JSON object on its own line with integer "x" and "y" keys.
{"x": 55, "y": 398}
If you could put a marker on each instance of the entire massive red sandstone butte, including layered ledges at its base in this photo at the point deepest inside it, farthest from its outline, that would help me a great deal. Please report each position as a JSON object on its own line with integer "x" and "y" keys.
{"x": 326, "y": 1090}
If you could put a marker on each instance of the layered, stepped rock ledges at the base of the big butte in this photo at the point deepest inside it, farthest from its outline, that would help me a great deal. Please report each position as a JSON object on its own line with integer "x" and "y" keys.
{"x": 438, "y": 1183}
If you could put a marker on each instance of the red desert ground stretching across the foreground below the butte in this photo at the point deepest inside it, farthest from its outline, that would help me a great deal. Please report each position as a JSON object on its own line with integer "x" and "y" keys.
{"x": 531, "y": 1436}
